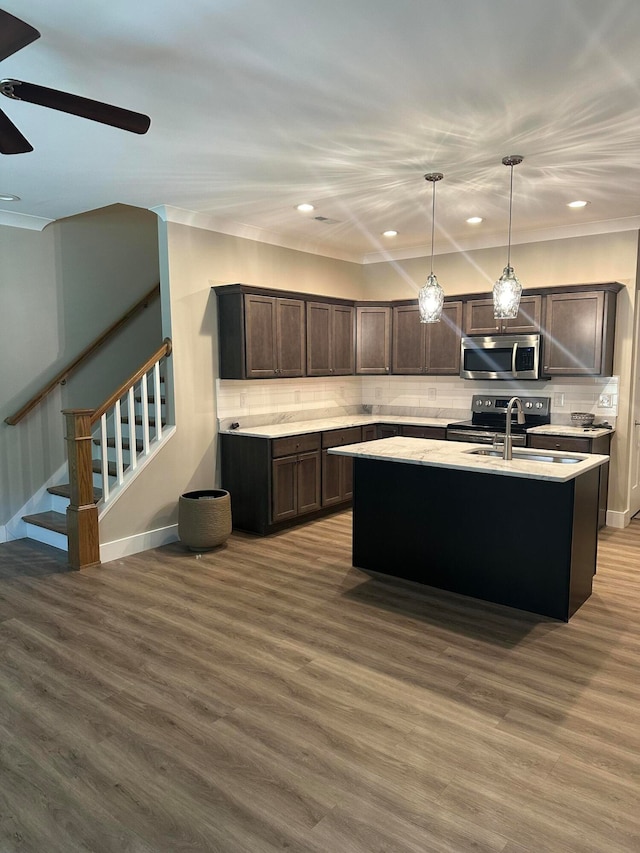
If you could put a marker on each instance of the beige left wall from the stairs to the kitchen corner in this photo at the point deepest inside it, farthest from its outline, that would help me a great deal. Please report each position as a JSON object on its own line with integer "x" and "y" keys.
{"x": 195, "y": 260}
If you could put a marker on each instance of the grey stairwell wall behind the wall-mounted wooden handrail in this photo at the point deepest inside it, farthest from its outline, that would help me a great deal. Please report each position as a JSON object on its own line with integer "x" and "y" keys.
{"x": 60, "y": 289}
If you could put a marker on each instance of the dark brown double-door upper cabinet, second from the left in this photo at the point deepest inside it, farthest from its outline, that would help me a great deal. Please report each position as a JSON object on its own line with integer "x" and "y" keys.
{"x": 330, "y": 339}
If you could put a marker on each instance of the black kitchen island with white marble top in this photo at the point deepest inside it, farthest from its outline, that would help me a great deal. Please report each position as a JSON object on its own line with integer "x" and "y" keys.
{"x": 521, "y": 533}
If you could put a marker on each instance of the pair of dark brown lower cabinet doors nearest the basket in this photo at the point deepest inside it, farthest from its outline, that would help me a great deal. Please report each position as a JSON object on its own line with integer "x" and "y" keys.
{"x": 295, "y": 485}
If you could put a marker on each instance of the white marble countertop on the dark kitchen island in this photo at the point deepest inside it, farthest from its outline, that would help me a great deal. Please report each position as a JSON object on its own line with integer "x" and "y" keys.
{"x": 457, "y": 455}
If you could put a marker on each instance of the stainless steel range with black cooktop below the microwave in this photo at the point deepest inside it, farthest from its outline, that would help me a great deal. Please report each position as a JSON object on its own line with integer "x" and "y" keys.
{"x": 489, "y": 419}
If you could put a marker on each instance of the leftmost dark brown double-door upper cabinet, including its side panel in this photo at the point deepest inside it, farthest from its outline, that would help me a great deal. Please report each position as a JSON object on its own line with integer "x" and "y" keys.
{"x": 260, "y": 336}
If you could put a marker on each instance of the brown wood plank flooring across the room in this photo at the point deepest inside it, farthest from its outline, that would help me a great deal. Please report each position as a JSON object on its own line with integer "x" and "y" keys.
{"x": 267, "y": 696}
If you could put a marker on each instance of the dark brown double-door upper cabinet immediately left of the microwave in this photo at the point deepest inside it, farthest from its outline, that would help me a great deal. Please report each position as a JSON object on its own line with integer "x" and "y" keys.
{"x": 426, "y": 348}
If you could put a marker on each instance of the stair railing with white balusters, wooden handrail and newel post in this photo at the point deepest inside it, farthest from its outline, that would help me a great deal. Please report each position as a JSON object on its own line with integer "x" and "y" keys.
{"x": 80, "y": 434}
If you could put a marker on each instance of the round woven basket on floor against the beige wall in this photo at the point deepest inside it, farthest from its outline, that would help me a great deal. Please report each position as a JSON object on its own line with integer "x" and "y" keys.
{"x": 204, "y": 518}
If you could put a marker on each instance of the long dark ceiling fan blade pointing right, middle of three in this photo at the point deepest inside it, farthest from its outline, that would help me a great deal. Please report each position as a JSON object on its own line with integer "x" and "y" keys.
{"x": 74, "y": 104}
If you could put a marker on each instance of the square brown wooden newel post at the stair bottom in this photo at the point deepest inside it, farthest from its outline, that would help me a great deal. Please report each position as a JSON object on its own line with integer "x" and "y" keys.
{"x": 82, "y": 512}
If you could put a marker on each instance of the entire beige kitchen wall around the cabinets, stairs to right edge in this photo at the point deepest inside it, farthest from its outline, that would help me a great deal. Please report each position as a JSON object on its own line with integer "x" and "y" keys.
{"x": 192, "y": 260}
